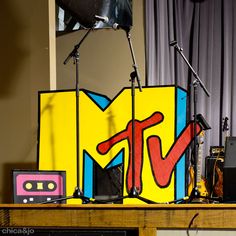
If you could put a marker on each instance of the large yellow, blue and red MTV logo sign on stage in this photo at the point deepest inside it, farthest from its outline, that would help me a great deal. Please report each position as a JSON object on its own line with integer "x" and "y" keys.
{"x": 105, "y": 138}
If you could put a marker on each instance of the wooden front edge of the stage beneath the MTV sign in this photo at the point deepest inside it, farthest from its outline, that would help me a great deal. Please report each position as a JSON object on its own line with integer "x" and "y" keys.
{"x": 146, "y": 218}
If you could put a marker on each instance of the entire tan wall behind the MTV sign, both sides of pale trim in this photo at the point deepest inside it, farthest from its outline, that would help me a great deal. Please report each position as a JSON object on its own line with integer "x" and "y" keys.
{"x": 26, "y": 67}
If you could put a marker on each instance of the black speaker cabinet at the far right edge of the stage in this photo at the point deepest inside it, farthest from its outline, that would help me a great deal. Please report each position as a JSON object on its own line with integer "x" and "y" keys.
{"x": 229, "y": 174}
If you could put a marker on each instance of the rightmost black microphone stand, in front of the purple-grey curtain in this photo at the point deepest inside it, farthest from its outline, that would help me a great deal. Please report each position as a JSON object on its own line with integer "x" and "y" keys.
{"x": 195, "y": 194}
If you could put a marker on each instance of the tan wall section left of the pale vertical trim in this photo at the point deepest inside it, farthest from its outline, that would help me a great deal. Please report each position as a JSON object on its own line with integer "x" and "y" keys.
{"x": 24, "y": 70}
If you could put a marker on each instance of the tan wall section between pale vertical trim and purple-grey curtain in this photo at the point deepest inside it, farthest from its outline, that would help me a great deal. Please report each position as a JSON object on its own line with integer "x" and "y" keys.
{"x": 105, "y": 60}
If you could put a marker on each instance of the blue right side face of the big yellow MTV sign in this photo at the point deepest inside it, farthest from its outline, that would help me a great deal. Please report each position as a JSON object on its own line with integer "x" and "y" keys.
{"x": 181, "y": 109}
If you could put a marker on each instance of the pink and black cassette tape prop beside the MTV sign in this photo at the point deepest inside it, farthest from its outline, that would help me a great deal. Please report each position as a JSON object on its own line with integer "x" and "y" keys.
{"x": 39, "y": 186}
